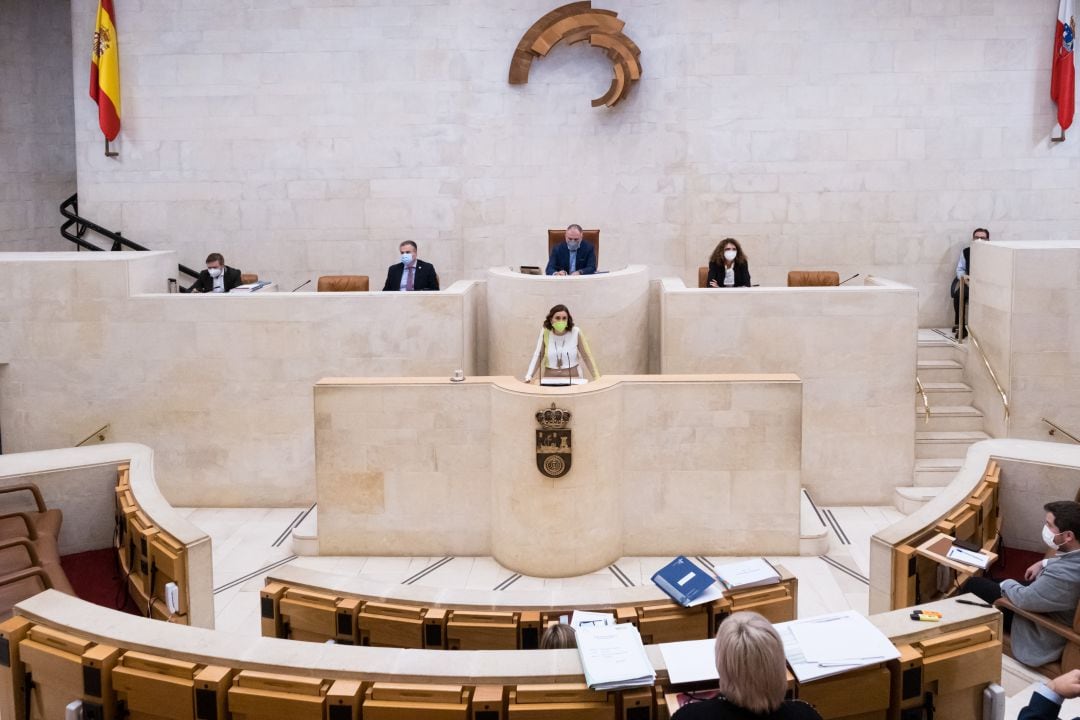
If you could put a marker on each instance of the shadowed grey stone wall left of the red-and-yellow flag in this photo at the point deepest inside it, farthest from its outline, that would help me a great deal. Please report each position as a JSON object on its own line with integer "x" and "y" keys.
{"x": 37, "y": 124}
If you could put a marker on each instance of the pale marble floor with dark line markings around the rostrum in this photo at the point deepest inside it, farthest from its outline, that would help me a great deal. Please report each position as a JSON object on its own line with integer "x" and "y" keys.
{"x": 249, "y": 544}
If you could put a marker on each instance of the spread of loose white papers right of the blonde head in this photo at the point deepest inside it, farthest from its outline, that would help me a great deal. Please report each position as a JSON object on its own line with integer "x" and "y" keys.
{"x": 830, "y": 645}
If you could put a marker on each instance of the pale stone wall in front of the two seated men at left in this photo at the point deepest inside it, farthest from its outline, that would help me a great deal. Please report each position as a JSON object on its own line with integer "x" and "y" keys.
{"x": 221, "y": 387}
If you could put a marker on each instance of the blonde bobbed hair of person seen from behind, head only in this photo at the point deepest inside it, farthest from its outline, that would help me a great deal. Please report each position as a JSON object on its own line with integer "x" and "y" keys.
{"x": 750, "y": 660}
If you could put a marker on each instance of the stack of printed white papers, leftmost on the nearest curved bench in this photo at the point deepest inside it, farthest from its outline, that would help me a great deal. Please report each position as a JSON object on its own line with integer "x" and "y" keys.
{"x": 614, "y": 658}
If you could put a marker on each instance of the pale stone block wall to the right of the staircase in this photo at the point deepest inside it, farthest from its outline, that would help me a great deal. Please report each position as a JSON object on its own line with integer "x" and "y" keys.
{"x": 1029, "y": 319}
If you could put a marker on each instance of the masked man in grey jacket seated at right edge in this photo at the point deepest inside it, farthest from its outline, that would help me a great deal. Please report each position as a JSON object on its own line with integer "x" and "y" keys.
{"x": 1051, "y": 587}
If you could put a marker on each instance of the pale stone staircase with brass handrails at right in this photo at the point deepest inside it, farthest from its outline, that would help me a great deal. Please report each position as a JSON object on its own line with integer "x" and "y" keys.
{"x": 955, "y": 425}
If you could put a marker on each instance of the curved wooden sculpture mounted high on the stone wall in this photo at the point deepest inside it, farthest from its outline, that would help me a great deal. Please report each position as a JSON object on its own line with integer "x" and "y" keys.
{"x": 576, "y": 23}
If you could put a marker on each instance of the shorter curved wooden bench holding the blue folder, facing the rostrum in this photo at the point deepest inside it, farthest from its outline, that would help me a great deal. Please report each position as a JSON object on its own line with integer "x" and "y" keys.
{"x": 306, "y": 605}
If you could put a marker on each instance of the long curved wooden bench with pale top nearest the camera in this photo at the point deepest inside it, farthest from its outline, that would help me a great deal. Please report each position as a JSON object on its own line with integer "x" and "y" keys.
{"x": 62, "y": 649}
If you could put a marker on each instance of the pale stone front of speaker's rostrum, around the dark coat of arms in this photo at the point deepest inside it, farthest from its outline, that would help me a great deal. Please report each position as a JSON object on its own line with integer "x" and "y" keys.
{"x": 703, "y": 465}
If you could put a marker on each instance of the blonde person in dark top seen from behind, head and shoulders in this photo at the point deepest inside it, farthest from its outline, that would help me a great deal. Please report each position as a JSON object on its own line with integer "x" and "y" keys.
{"x": 750, "y": 660}
